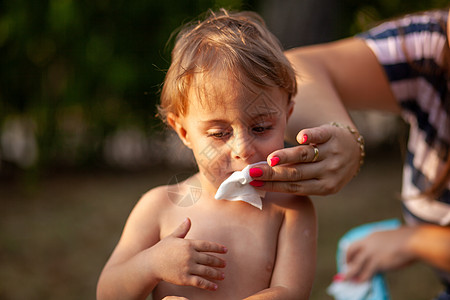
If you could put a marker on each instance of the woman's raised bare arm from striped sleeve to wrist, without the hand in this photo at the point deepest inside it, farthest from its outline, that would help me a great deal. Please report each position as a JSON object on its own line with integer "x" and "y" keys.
{"x": 334, "y": 77}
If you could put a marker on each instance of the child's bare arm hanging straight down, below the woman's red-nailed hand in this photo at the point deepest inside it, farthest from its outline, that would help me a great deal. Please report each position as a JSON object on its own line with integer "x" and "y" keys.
{"x": 293, "y": 275}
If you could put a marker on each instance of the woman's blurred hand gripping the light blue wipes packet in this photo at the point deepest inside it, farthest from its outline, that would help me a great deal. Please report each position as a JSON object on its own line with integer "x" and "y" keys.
{"x": 379, "y": 252}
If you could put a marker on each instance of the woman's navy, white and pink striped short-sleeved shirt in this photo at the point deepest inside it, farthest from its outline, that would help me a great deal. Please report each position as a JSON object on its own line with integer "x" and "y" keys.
{"x": 424, "y": 99}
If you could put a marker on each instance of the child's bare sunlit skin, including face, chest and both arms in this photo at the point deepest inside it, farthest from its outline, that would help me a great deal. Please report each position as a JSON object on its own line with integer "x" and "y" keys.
{"x": 224, "y": 250}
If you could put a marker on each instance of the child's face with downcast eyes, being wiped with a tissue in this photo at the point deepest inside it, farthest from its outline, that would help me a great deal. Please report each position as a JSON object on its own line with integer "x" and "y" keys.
{"x": 241, "y": 127}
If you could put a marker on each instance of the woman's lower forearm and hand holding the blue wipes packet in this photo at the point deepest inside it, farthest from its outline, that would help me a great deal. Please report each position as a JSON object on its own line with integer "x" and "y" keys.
{"x": 395, "y": 249}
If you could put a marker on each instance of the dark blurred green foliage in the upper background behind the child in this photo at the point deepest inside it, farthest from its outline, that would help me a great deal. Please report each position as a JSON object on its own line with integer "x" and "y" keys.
{"x": 74, "y": 71}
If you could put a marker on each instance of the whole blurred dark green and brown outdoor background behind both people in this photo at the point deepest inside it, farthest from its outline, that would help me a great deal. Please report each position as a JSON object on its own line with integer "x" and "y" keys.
{"x": 79, "y": 140}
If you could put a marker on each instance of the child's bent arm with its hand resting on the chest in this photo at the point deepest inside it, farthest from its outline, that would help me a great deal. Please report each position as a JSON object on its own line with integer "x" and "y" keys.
{"x": 140, "y": 260}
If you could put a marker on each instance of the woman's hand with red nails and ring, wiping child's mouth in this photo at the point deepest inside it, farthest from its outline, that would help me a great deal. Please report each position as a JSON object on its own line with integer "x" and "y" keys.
{"x": 296, "y": 170}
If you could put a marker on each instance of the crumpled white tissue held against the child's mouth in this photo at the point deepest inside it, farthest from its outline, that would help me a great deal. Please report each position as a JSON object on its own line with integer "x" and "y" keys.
{"x": 237, "y": 188}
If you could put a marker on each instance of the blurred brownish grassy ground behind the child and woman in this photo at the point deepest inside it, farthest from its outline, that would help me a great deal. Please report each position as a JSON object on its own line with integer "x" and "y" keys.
{"x": 56, "y": 237}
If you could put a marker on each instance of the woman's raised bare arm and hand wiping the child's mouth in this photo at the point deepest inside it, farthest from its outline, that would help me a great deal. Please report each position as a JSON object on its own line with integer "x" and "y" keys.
{"x": 333, "y": 77}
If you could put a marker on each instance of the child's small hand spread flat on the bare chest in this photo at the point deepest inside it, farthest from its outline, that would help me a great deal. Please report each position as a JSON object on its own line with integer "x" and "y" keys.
{"x": 185, "y": 262}
